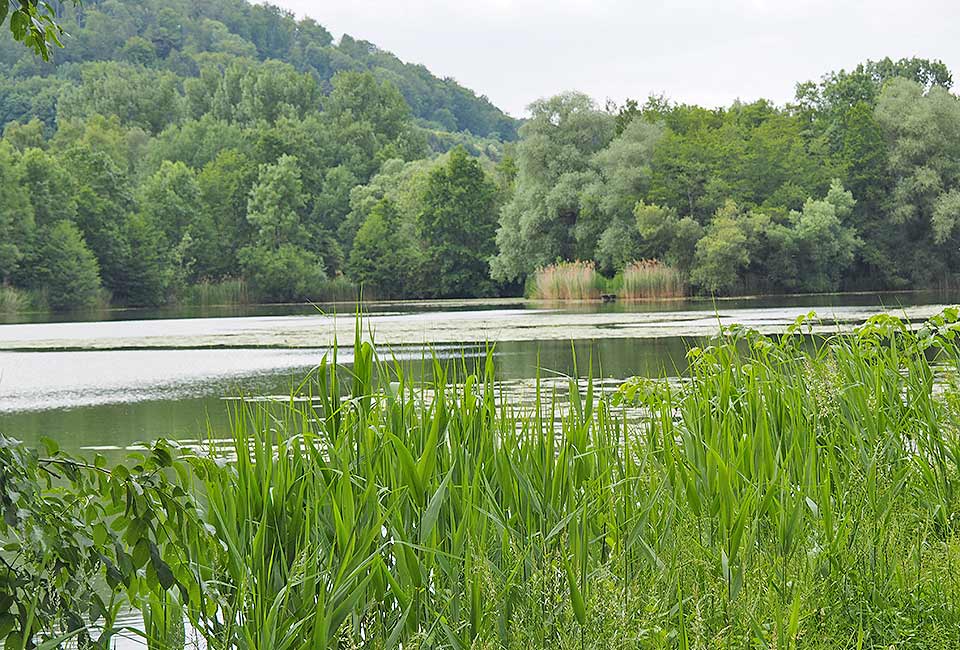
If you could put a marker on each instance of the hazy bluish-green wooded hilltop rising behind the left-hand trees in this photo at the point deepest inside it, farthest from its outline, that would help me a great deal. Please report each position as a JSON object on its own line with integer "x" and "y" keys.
{"x": 186, "y": 38}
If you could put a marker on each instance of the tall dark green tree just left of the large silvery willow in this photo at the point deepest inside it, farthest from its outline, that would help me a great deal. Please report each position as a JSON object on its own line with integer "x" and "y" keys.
{"x": 457, "y": 222}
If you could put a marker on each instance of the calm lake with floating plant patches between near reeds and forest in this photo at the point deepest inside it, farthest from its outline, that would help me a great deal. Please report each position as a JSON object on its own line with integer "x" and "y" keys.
{"x": 109, "y": 380}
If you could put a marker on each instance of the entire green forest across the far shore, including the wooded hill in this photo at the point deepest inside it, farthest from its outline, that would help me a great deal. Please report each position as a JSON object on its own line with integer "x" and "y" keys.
{"x": 170, "y": 146}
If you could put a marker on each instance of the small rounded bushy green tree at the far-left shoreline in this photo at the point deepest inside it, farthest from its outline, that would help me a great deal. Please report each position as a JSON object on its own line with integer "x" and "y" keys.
{"x": 66, "y": 268}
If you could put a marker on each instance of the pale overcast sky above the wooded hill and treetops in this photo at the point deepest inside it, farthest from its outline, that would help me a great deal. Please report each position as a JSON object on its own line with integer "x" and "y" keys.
{"x": 696, "y": 51}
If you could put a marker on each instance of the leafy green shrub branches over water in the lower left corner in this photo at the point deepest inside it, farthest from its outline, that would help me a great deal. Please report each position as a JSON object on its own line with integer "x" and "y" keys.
{"x": 81, "y": 540}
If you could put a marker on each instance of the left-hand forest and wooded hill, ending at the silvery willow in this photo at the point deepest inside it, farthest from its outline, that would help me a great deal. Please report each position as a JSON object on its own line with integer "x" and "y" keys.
{"x": 168, "y": 145}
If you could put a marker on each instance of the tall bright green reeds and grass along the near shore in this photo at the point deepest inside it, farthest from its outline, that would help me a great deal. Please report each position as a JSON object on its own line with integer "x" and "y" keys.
{"x": 786, "y": 492}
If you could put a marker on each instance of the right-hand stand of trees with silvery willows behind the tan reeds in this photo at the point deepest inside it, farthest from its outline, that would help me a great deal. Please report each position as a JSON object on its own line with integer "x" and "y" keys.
{"x": 854, "y": 185}
